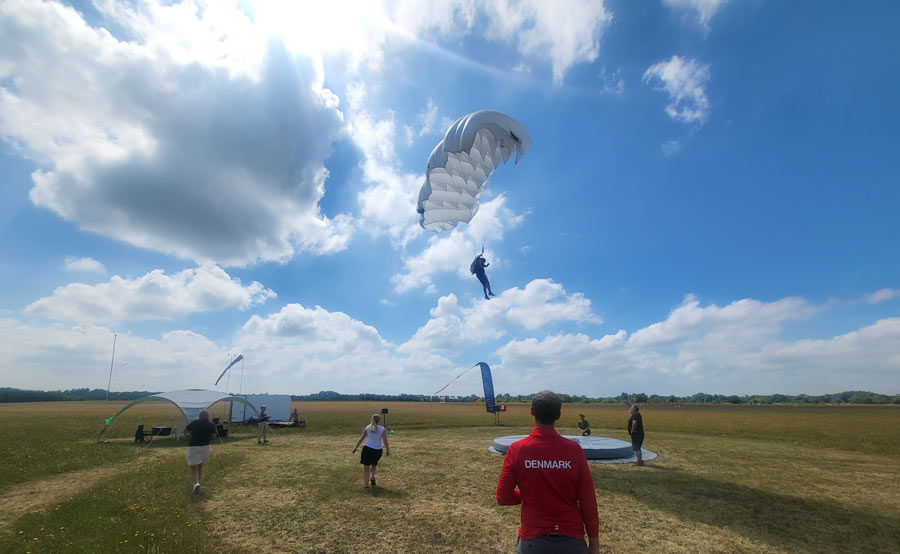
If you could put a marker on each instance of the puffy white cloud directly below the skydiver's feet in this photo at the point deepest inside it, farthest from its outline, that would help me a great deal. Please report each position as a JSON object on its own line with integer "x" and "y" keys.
{"x": 540, "y": 303}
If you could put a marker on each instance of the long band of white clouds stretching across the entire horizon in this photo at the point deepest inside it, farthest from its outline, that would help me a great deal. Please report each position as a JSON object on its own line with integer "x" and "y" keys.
{"x": 736, "y": 348}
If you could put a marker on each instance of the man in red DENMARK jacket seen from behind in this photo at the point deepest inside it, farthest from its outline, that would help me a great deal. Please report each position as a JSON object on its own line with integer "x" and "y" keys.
{"x": 555, "y": 486}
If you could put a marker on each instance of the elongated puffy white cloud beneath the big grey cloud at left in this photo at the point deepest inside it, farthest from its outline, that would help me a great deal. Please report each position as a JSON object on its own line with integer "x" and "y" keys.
{"x": 154, "y": 296}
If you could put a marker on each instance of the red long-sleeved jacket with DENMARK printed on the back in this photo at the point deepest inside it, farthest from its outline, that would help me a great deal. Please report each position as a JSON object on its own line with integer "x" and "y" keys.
{"x": 556, "y": 488}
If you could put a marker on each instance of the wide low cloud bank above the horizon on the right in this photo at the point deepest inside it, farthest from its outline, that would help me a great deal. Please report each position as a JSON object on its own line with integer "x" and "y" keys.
{"x": 729, "y": 349}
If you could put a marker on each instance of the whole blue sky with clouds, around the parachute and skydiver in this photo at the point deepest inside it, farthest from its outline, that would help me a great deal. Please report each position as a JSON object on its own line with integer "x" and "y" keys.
{"x": 709, "y": 202}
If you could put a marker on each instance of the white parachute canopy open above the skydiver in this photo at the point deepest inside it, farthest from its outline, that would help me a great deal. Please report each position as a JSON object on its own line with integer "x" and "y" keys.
{"x": 461, "y": 163}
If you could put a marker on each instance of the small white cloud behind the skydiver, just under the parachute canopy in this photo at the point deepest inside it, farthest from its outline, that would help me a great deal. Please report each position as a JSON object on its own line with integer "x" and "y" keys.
{"x": 454, "y": 251}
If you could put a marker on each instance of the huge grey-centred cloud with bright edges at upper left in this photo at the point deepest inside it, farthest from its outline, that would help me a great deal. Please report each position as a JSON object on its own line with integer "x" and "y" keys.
{"x": 173, "y": 140}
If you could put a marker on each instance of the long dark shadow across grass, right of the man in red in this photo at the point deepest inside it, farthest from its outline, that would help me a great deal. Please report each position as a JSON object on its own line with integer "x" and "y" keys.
{"x": 783, "y": 521}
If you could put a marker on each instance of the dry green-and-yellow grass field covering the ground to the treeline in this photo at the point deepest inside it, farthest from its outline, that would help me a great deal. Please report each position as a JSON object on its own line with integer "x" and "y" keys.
{"x": 728, "y": 479}
